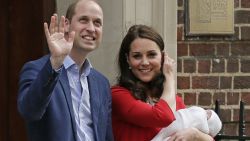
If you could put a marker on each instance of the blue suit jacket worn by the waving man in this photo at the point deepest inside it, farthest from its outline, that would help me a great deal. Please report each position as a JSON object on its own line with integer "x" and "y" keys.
{"x": 44, "y": 101}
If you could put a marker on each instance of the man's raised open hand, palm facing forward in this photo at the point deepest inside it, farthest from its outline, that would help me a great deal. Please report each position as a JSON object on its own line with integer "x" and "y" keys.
{"x": 59, "y": 47}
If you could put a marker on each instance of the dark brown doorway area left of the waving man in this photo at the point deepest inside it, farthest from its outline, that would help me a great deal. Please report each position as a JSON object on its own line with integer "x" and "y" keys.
{"x": 21, "y": 39}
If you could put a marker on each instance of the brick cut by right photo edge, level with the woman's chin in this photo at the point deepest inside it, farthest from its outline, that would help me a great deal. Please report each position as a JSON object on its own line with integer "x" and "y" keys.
{"x": 241, "y": 82}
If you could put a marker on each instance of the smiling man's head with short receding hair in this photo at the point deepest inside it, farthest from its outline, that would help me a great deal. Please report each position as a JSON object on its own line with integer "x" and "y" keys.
{"x": 87, "y": 22}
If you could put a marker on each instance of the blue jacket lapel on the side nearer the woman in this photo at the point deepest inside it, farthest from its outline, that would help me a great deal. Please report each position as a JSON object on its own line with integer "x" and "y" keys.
{"x": 95, "y": 99}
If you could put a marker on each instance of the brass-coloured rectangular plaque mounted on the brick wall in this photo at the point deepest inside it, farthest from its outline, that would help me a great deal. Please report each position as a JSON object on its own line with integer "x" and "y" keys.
{"x": 206, "y": 17}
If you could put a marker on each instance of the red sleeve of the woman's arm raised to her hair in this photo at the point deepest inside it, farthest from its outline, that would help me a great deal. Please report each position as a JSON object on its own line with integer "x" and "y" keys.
{"x": 127, "y": 108}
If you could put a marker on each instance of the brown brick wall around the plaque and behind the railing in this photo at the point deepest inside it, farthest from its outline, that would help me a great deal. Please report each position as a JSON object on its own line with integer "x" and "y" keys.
{"x": 216, "y": 67}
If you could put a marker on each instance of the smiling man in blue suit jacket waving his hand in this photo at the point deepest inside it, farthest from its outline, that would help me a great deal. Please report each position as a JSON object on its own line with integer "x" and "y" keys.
{"x": 61, "y": 97}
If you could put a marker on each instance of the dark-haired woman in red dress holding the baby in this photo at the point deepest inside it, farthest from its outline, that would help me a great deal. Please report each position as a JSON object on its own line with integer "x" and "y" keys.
{"x": 144, "y": 98}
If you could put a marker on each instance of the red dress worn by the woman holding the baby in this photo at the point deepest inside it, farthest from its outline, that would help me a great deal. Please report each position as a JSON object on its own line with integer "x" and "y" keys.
{"x": 134, "y": 120}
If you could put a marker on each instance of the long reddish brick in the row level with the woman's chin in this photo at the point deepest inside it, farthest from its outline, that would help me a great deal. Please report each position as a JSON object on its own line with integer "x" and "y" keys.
{"x": 205, "y": 82}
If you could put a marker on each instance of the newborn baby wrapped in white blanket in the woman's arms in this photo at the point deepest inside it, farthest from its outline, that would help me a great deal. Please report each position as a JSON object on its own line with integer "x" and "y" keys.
{"x": 206, "y": 121}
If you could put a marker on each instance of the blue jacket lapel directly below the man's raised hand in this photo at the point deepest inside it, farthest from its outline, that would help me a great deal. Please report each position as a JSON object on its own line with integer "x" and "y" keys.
{"x": 66, "y": 88}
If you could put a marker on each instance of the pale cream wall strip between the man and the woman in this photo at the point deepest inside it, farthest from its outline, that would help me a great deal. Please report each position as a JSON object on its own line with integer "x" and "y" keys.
{"x": 104, "y": 58}
